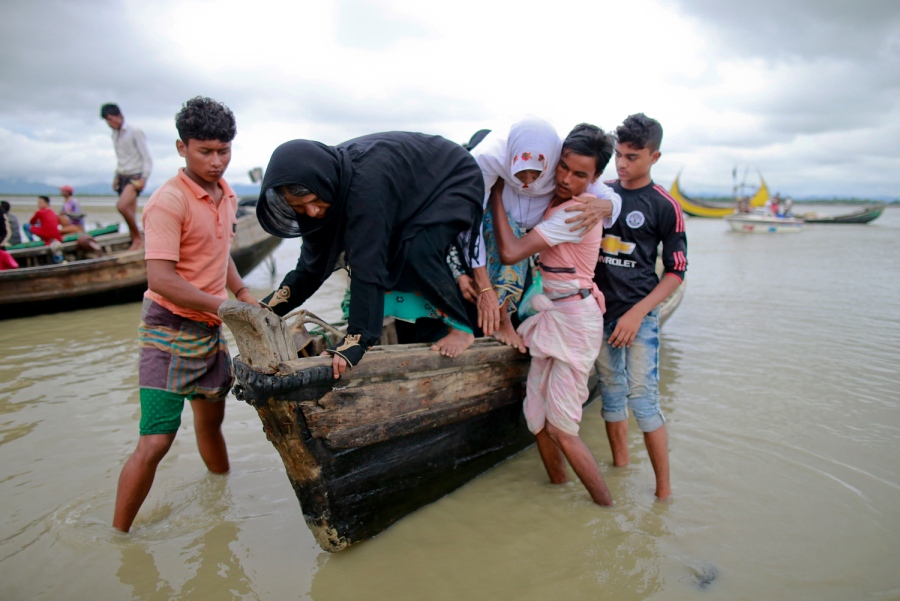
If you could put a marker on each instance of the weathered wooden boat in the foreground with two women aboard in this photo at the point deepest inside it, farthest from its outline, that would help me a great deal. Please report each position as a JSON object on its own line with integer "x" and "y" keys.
{"x": 397, "y": 432}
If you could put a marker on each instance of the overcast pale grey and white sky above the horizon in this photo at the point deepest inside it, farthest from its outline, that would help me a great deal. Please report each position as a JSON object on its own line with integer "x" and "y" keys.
{"x": 806, "y": 92}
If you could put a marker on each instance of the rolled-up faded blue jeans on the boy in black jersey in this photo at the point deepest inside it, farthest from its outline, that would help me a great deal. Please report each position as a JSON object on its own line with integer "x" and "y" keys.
{"x": 629, "y": 376}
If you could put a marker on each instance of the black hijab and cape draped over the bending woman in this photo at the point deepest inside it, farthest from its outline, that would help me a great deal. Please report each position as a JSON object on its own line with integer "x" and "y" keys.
{"x": 382, "y": 189}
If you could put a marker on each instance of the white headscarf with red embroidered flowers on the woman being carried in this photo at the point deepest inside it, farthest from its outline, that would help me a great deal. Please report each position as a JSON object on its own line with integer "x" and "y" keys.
{"x": 532, "y": 143}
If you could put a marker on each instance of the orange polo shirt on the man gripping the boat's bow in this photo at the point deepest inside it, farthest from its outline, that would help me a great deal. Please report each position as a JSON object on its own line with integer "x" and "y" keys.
{"x": 183, "y": 224}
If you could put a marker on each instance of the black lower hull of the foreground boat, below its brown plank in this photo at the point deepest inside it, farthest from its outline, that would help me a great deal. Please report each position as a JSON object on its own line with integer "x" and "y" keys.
{"x": 355, "y": 492}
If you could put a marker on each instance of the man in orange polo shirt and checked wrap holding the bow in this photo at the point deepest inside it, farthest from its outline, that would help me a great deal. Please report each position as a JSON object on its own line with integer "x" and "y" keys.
{"x": 189, "y": 224}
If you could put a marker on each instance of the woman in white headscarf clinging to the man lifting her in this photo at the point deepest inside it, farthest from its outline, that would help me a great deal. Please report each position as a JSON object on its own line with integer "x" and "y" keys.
{"x": 524, "y": 158}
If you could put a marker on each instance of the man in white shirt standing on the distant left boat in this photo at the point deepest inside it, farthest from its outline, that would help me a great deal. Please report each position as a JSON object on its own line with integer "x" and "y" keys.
{"x": 132, "y": 170}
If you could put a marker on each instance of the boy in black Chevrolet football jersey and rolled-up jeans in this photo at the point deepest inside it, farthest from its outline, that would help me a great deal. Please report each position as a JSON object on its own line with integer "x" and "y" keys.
{"x": 626, "y": 274}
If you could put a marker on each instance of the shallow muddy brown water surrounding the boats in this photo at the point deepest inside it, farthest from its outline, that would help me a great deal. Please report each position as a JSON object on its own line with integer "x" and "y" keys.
{"x": 779, "y": 381}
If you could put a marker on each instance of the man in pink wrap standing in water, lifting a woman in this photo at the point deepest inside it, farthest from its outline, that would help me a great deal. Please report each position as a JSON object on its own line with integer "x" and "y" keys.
{"x": 564, "y": 335}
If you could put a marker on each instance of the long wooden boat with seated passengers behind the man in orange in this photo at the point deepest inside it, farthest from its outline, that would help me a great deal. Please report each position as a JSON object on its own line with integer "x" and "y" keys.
{"x": 40, "y": 286}
